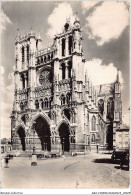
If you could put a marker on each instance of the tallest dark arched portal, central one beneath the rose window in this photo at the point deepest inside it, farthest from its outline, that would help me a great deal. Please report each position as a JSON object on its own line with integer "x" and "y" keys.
{"x": 43, "y": 130}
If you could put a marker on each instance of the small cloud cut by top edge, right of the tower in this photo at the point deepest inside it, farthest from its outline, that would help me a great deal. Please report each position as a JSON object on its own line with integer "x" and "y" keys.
{"x": 86, "y": 5}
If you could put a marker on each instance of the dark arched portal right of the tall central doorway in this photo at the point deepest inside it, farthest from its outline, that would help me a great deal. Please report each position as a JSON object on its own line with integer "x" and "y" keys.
{"x": 64, "y": 136}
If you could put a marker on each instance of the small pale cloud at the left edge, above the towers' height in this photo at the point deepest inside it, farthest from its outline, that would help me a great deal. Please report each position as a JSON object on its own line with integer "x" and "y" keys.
{"x": 4, "y": 20}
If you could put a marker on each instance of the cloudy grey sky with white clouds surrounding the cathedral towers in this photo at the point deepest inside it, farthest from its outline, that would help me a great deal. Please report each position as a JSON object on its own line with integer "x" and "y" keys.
{"x": 105, "y": 29}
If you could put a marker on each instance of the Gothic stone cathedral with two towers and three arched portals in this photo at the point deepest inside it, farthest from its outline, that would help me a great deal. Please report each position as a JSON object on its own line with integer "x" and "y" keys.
{"x": 56, "y": 107}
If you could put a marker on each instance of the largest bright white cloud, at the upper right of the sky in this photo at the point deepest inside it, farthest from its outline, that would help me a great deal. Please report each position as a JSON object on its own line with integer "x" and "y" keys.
{"x": 107, "y": 21}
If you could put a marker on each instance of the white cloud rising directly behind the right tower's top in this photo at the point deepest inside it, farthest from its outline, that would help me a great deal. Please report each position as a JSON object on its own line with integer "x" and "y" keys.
{"x": 58, "y": 17}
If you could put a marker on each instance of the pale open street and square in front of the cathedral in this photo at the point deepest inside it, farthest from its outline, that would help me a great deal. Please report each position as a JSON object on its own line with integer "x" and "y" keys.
{"x": 85, "y": 171}
